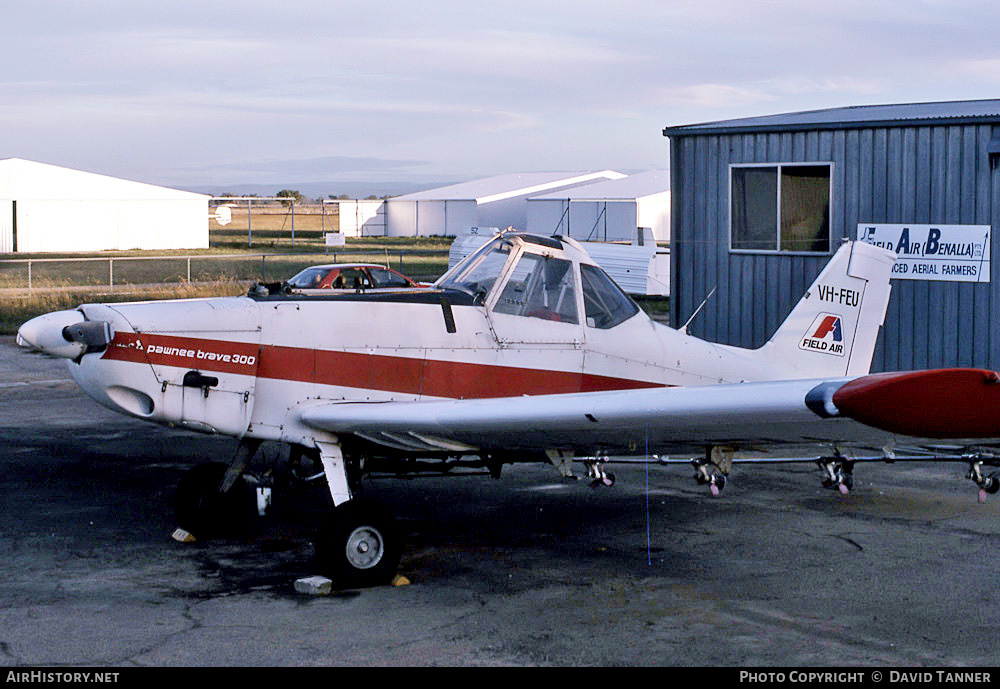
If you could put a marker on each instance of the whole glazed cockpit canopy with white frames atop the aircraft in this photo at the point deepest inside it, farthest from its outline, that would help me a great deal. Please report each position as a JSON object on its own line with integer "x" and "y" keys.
{"x": 550, "y": 278}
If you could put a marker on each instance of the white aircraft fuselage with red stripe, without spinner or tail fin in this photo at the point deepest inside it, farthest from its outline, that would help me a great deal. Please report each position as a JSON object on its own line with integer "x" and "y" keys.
{"x": 268, "y": 355}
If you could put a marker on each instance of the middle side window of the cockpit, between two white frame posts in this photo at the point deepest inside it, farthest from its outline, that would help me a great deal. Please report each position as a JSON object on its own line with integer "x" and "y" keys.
{"x": 540, "y": 287}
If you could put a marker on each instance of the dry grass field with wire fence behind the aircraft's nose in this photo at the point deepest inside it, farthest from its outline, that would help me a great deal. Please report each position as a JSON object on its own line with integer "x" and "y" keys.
{"x": 224, "y": 269}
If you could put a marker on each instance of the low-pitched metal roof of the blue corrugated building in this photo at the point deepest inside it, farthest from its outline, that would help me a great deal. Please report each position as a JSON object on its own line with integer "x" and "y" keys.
{"x": 945, "y": 112}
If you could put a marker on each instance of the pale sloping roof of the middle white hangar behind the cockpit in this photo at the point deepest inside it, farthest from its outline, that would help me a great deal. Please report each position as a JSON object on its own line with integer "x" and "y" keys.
{"x": 508, "y": 186}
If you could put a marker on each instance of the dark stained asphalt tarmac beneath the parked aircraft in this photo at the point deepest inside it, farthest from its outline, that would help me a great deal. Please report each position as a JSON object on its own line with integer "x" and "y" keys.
{"x": 525, "y": 570}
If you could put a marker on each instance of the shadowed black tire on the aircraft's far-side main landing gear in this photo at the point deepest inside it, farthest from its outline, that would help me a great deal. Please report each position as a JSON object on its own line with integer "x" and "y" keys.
{"x": 203, "y": 511}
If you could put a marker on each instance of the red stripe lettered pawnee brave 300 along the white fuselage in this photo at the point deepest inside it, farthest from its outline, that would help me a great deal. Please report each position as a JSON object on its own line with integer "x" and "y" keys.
{"x": 388, "y": 373}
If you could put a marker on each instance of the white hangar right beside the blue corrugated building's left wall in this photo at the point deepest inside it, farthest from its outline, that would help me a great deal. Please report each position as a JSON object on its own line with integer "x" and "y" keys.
{"x": 605, "y": 211}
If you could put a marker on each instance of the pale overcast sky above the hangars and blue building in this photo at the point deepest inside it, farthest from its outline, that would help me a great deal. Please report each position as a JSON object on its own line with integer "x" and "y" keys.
{"x": 212, "y": 93}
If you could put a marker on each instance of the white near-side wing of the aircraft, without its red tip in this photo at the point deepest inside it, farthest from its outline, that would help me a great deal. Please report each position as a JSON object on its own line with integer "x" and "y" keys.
{"x": 662, "y": 420}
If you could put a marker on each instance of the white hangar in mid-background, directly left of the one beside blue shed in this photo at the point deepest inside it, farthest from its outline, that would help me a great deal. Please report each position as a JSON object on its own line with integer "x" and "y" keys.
{"x": 499, "y": 201}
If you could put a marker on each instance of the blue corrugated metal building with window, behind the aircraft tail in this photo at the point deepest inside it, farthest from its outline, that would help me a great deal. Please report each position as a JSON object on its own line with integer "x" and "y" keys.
{"x": 759, "y": 204}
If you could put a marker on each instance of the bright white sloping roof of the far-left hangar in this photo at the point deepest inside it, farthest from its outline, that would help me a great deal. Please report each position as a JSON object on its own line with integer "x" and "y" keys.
{"x": 25, "y": 179}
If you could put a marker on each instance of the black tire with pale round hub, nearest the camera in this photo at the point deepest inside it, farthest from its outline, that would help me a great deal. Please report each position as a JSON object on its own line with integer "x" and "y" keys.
{"x": 360, "y": 546}
